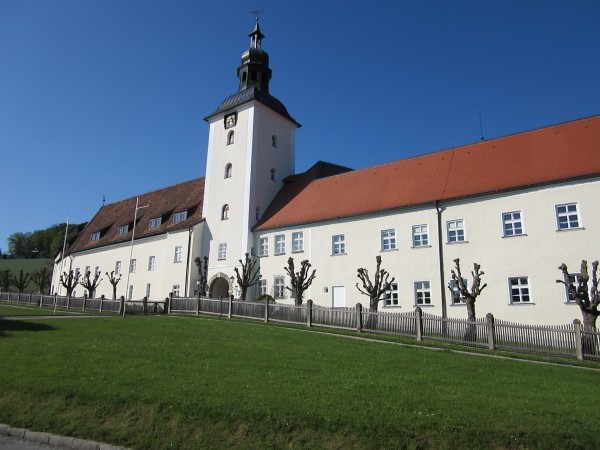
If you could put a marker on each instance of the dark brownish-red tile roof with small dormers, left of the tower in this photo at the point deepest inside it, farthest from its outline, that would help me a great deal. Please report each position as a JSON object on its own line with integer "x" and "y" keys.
{"x": 163, "y": 203}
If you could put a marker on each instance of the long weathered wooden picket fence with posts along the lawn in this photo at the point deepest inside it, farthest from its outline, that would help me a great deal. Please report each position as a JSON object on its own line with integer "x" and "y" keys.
{"x": 570, "y": 340}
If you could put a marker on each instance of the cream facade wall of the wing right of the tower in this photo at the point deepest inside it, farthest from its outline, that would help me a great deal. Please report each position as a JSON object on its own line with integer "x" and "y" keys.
{"x": 533, "y": 255}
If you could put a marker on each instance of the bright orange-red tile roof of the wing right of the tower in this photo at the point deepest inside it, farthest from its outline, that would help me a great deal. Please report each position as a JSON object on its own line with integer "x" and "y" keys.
{"x": 559, "y": 152}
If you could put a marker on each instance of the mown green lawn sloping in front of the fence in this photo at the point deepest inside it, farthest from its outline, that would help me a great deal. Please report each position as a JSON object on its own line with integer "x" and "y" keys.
{"x": 183, "y": 382}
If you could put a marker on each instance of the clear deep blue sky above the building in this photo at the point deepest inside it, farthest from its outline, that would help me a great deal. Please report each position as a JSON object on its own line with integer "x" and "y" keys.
{"x": 107, "y": 97}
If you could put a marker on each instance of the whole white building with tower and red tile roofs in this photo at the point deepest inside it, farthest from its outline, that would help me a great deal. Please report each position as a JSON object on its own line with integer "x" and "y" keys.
{"x": 518, "y": 205}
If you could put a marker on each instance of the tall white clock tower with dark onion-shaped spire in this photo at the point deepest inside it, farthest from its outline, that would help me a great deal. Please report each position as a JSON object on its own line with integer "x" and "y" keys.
{"x": 251, "y": 149}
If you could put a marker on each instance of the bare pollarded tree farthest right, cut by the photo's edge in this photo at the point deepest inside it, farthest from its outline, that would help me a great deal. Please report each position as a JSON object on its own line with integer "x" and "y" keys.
{"x": 585, "y": 296}
